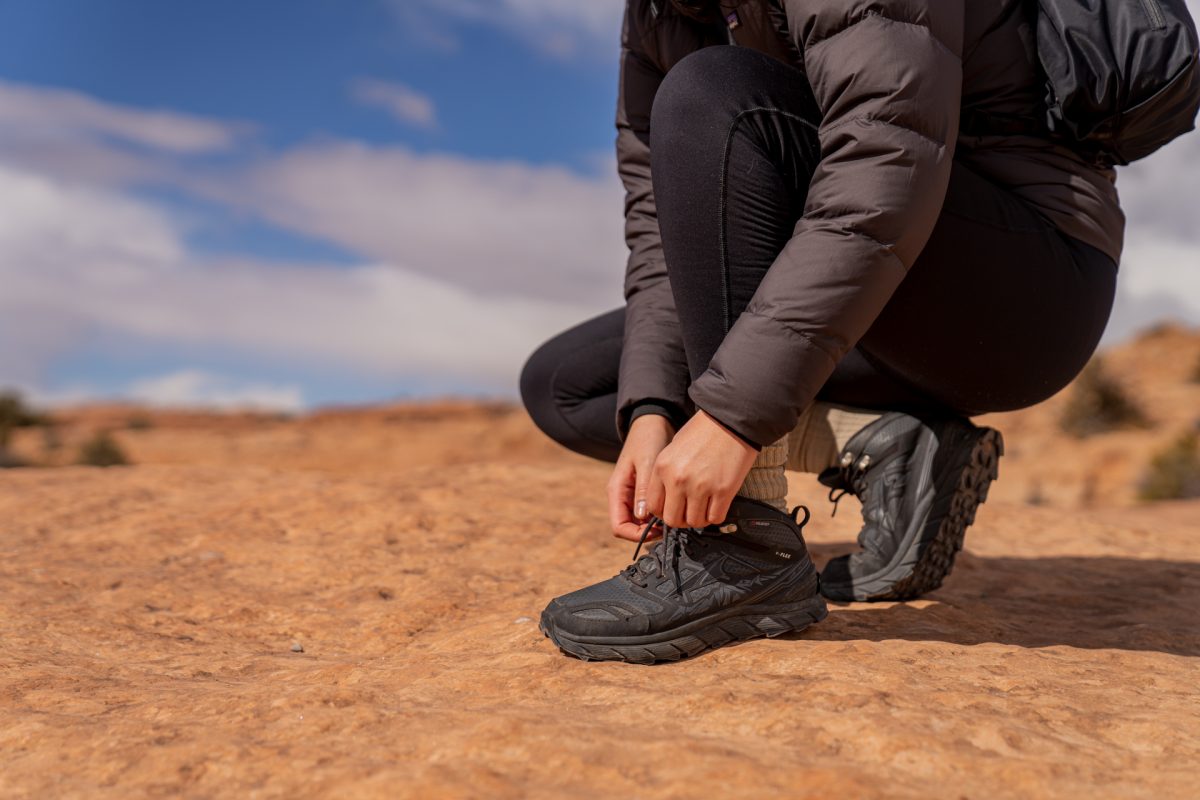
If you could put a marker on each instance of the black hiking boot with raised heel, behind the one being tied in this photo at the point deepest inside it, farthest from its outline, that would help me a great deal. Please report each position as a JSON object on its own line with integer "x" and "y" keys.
{"x": 921, "y": 483}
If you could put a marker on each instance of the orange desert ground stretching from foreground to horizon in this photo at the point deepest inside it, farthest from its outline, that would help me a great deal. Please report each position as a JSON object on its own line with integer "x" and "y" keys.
{"x": 346, "y": 604}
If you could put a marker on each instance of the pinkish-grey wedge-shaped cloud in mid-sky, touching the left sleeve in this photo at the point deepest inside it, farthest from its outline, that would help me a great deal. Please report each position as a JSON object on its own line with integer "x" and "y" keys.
{"x": 489, "y": 227}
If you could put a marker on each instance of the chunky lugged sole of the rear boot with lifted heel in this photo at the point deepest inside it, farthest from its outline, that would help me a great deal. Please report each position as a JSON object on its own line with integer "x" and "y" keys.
{"x": 910, "y": 578}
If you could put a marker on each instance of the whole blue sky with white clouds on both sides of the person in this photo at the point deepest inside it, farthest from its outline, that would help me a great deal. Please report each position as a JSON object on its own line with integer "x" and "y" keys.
{"x": 293, "y": 203}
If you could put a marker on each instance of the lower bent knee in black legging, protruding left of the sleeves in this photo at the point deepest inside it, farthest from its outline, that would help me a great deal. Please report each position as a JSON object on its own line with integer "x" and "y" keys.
{"x": 569, "y": 387}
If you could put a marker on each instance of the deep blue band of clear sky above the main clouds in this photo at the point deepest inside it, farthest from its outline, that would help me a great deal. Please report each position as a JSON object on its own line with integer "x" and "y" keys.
{"x": 286, "y": 67}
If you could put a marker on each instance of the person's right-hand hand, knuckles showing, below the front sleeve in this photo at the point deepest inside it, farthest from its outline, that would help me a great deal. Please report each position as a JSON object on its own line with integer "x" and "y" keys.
{"x": 698, "y": 476}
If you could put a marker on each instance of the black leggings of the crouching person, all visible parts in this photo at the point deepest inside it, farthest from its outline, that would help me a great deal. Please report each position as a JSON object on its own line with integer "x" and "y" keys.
{"x": 999, "y": 312}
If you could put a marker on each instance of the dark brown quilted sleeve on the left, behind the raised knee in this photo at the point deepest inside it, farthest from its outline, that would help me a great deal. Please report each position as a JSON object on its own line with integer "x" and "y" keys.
{"x": 657, "y": 368}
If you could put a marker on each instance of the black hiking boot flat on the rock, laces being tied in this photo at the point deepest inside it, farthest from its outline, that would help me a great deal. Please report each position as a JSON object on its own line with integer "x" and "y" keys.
{"x": 697, "y": 590}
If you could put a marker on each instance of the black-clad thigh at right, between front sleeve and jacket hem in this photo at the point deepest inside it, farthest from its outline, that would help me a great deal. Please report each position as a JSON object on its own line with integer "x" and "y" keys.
{"x": 1000, "y": 311}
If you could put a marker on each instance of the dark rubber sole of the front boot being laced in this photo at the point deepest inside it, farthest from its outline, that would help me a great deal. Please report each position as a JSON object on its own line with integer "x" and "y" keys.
{"x": 695, "y": 637}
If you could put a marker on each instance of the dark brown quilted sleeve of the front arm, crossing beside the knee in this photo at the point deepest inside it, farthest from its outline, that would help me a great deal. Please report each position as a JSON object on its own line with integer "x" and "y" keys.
{"x": 887, "y": 76}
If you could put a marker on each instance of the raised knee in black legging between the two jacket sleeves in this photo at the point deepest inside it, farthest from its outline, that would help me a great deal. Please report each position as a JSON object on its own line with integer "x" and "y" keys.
{"x": 734, "y": 147}
